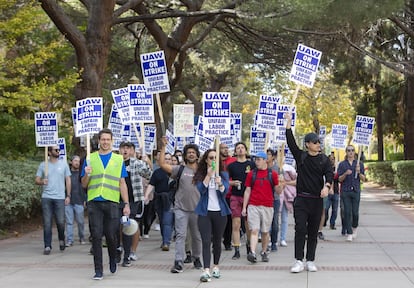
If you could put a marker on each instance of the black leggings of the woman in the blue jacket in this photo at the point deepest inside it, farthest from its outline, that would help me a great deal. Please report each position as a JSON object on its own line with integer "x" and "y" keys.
{"x": 211, "y": 228}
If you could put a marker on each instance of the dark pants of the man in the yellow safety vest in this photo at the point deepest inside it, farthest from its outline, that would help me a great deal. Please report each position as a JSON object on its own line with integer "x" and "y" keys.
{"x": 104, "y": 219}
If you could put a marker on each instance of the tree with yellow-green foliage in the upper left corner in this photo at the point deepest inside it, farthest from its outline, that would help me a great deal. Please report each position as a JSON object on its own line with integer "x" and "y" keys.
{"x": 34, "y": 74}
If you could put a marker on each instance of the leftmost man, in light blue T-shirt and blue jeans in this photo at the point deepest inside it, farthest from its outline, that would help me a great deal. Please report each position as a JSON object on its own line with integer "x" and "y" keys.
{"x": 54, "y": 197}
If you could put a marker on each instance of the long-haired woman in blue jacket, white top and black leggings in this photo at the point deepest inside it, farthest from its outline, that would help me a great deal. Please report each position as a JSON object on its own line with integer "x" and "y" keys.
{"x": 212, "y": 210}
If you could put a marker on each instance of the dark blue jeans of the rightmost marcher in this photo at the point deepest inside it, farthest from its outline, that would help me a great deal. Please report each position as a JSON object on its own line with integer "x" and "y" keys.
{"x": 351, "y": 210}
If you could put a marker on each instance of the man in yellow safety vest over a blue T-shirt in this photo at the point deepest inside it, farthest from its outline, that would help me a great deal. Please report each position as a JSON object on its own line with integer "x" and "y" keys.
{"x": 105, "y": 177}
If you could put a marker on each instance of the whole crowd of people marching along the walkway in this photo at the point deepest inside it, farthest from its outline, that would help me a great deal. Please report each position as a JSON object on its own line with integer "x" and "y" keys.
{"x": 200, "y": 201}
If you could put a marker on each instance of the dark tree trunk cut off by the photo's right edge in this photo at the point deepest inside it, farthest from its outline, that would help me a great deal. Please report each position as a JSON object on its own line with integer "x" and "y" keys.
{"x": 409, "y": 119}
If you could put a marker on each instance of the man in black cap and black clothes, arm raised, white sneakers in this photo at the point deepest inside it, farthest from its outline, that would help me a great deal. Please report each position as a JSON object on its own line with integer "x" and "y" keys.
{"x": 314, "y": 180}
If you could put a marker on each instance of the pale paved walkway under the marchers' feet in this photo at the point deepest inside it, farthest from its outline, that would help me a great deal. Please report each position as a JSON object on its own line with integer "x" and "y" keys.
{"x": 381, "y": 256}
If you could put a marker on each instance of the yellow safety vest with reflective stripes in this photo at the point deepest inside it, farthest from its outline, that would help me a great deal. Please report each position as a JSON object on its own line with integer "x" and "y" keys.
{"x": 104, "y": 182}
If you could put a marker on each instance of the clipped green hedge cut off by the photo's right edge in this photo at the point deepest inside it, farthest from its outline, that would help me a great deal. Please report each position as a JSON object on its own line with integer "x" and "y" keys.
{"x": 403, "y": 171}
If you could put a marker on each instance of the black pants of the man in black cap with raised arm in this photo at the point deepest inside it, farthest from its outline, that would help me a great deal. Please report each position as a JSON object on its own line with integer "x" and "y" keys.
{"x": 307, "y": 213}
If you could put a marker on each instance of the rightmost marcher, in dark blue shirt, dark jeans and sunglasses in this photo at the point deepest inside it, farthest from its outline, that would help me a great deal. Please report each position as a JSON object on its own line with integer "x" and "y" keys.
{"x": 351, "y": 172}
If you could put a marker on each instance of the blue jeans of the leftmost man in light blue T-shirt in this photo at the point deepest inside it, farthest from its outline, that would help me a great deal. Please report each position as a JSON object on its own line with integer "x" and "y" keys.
{"x": 53, "y": 208}
